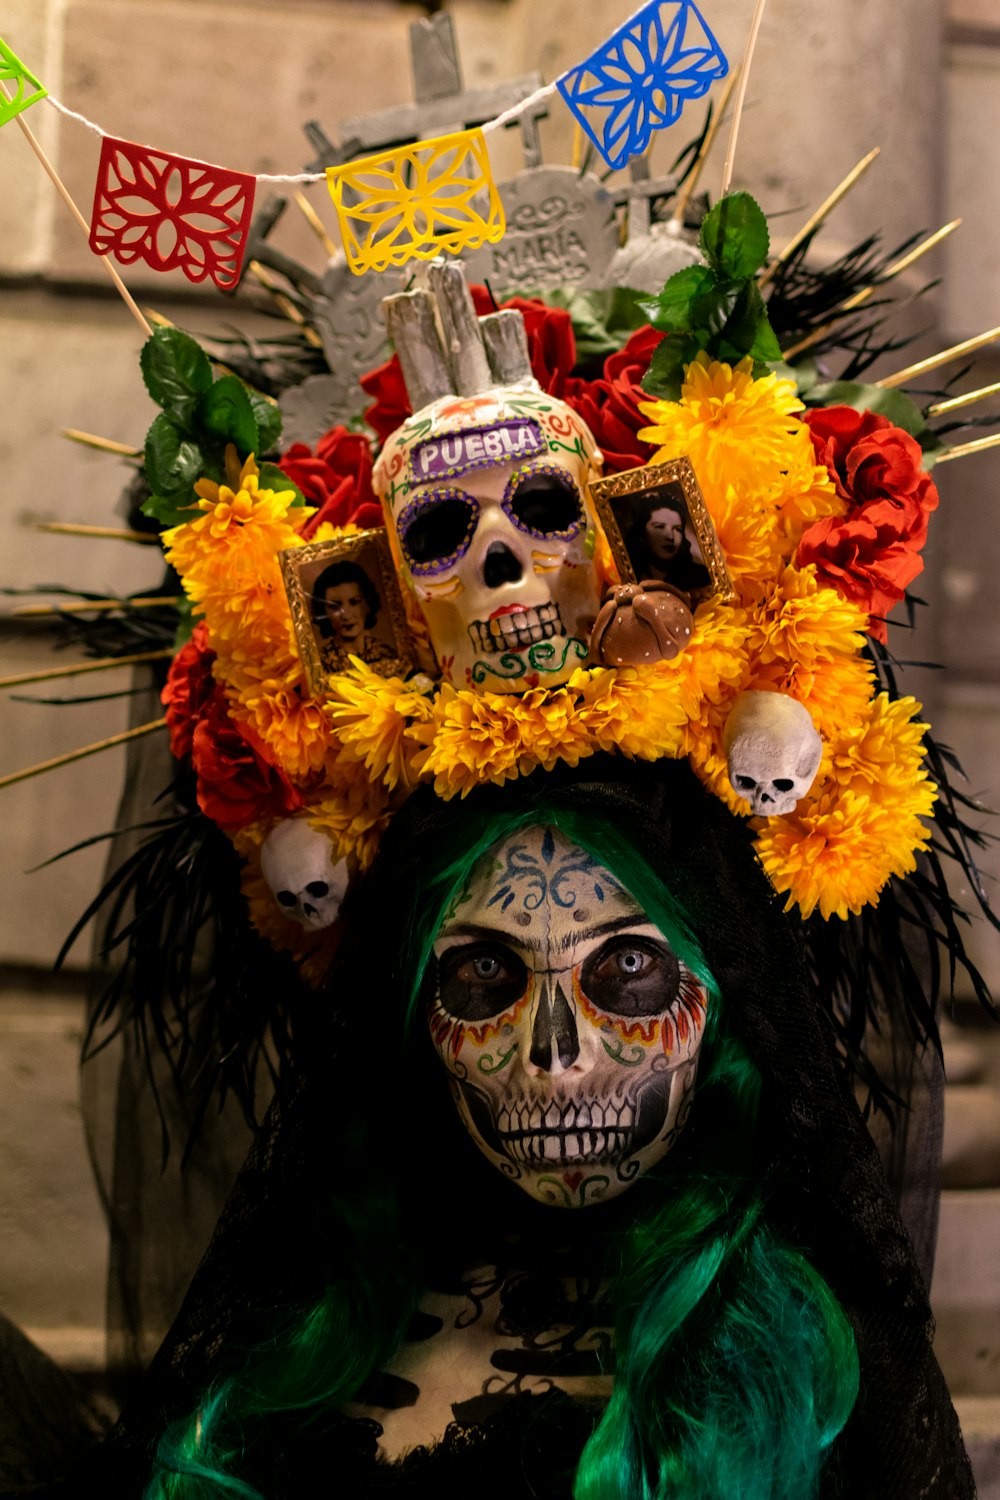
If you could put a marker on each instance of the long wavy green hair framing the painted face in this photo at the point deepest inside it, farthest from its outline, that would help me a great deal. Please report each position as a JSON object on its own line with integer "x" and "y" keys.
{"x": 735, "y": 1366}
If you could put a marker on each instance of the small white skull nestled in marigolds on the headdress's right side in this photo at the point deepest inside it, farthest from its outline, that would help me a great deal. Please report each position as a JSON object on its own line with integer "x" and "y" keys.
{"x": 773, "y": 752}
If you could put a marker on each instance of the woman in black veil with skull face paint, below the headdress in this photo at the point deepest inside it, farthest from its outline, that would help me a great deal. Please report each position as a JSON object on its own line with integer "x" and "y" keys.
{"x": 500, "y": 1241}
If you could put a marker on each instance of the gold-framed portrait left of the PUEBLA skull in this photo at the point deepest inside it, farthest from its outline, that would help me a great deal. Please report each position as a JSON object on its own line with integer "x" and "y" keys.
{"x": 365, "y": 617}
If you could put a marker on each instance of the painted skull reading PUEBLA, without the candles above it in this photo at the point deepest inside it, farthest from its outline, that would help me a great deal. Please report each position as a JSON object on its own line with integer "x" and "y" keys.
{"x": 487, "y": 500}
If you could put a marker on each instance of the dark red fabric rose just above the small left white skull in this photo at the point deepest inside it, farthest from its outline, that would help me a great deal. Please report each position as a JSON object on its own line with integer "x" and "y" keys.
{"x": 236, "y": 785}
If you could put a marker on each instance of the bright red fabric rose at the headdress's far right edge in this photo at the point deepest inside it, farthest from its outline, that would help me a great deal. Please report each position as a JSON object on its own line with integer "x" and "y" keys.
{"x": 872, "y": 554}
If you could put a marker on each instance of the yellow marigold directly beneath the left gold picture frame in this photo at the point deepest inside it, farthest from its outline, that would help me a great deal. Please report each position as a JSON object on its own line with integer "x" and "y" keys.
{"x": 371, "y": 716}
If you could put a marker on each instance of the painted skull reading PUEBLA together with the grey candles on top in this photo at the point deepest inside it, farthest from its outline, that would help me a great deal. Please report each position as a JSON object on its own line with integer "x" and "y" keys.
{"x": 485, "y": 497}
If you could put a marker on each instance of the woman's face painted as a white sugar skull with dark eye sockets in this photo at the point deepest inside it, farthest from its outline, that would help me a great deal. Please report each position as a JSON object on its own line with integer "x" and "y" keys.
{"x": 566, "y": 1022}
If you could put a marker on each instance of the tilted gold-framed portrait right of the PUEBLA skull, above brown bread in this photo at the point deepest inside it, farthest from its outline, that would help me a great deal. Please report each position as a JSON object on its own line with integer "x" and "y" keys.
{"x": 659, "y": 527}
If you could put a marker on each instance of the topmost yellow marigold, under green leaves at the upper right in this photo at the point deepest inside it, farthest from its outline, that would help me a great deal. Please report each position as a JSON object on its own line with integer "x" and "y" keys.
{"x": 734, "y": 428}
